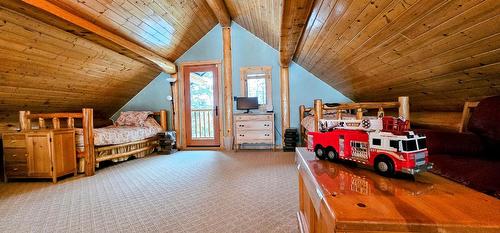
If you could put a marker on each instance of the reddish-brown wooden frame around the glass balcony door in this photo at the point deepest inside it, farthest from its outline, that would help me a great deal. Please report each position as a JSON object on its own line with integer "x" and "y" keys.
{"x": 182, "y": 107}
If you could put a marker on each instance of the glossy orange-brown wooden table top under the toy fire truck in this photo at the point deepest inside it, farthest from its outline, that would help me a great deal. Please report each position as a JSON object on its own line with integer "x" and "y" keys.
{"x": 359, "y": 198}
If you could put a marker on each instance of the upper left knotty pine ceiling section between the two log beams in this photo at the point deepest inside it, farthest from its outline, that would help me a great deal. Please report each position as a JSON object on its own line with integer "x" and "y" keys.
{"x": 168, "y": 28}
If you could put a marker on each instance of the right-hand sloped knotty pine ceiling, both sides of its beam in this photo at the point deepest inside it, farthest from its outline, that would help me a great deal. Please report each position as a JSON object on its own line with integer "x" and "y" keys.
{"x": 440, "y": 53}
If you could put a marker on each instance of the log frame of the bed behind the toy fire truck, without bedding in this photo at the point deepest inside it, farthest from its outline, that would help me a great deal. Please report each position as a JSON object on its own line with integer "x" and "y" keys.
{"x": 403, "y": 106}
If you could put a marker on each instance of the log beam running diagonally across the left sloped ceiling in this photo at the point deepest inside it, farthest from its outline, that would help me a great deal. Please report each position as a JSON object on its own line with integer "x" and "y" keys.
{"x": 160, "y": 61}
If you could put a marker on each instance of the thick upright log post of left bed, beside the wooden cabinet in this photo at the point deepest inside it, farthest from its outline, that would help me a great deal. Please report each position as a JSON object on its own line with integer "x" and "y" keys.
{"x": 88, "y": 139}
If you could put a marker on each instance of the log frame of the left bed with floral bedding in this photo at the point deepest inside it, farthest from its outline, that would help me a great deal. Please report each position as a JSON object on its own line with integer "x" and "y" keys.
{"x": 90, "y": 157}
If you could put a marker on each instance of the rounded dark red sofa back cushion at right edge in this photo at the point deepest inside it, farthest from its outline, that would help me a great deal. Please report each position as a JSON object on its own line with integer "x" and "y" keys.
{"x": 485, "y": 122}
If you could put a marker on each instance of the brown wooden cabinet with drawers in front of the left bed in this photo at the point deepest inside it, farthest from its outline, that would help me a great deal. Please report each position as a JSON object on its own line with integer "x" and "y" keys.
{"x": 46, "y": 153}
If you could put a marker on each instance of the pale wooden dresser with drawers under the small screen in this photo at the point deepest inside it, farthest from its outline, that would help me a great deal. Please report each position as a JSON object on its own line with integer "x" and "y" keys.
{"x": 254, "y": 128}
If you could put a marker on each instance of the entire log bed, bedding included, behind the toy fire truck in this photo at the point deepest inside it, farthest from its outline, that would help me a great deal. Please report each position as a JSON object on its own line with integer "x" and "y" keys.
{"x": 309, "y": 116}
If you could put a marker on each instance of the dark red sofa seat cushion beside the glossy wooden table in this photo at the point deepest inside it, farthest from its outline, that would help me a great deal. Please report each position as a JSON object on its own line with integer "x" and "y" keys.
{"x": 477, "y": 173}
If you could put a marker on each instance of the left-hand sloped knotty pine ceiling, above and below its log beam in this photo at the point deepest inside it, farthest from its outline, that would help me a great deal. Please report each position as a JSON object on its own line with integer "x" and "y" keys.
{"x": 50, "y": 65}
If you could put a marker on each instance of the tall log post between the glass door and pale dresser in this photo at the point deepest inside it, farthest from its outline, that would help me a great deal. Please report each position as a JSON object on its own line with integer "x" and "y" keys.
{"x": 228, "y": 87}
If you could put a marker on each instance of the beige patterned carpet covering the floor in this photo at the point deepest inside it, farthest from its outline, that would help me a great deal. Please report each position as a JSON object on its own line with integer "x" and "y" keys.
{"x": 192, "y": 191}
